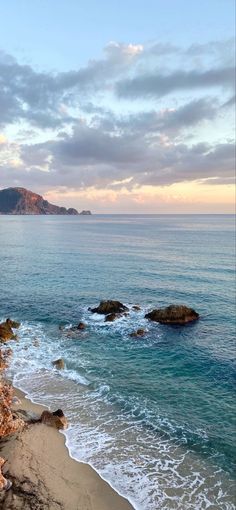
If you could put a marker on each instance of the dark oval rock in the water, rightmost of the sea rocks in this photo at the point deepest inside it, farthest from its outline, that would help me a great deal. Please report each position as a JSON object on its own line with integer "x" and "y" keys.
{"x": 173, "y": 314}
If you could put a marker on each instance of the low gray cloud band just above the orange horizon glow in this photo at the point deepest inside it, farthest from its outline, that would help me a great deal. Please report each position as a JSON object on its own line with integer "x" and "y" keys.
{"x": 90, "y": 157}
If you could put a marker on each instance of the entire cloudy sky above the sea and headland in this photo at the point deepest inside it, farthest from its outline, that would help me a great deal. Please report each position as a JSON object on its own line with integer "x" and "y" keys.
{"x": 119, "y": 107}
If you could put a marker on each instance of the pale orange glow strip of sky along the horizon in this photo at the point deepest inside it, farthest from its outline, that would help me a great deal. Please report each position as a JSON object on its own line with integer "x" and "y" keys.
{"x": 182, "y": 197}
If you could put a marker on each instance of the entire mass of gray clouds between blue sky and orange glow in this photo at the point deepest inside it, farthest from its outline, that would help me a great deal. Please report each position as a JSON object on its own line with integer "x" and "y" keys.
{"x": 101, "y": 148}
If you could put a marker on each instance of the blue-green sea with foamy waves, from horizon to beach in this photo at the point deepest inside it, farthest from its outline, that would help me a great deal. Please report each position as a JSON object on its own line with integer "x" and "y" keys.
{"x": 155, "y": 415}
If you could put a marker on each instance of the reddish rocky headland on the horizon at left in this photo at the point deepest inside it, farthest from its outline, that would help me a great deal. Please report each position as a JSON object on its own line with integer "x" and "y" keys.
{"x": 22, "y": 201}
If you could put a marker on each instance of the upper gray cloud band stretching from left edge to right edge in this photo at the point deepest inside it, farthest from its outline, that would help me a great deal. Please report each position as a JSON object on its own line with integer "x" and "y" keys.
{"x": 44, "y": 99}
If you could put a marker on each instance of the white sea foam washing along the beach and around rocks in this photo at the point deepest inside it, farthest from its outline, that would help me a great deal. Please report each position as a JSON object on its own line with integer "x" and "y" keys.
{"x": 151, "y": 471}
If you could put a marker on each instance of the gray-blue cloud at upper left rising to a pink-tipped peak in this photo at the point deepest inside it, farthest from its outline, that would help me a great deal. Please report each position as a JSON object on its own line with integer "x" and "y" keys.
{"x": 42, "y": 98}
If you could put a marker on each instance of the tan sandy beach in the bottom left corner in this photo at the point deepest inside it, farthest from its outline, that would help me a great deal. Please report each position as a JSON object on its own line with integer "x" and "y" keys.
{"x": 45, "y": 477}
